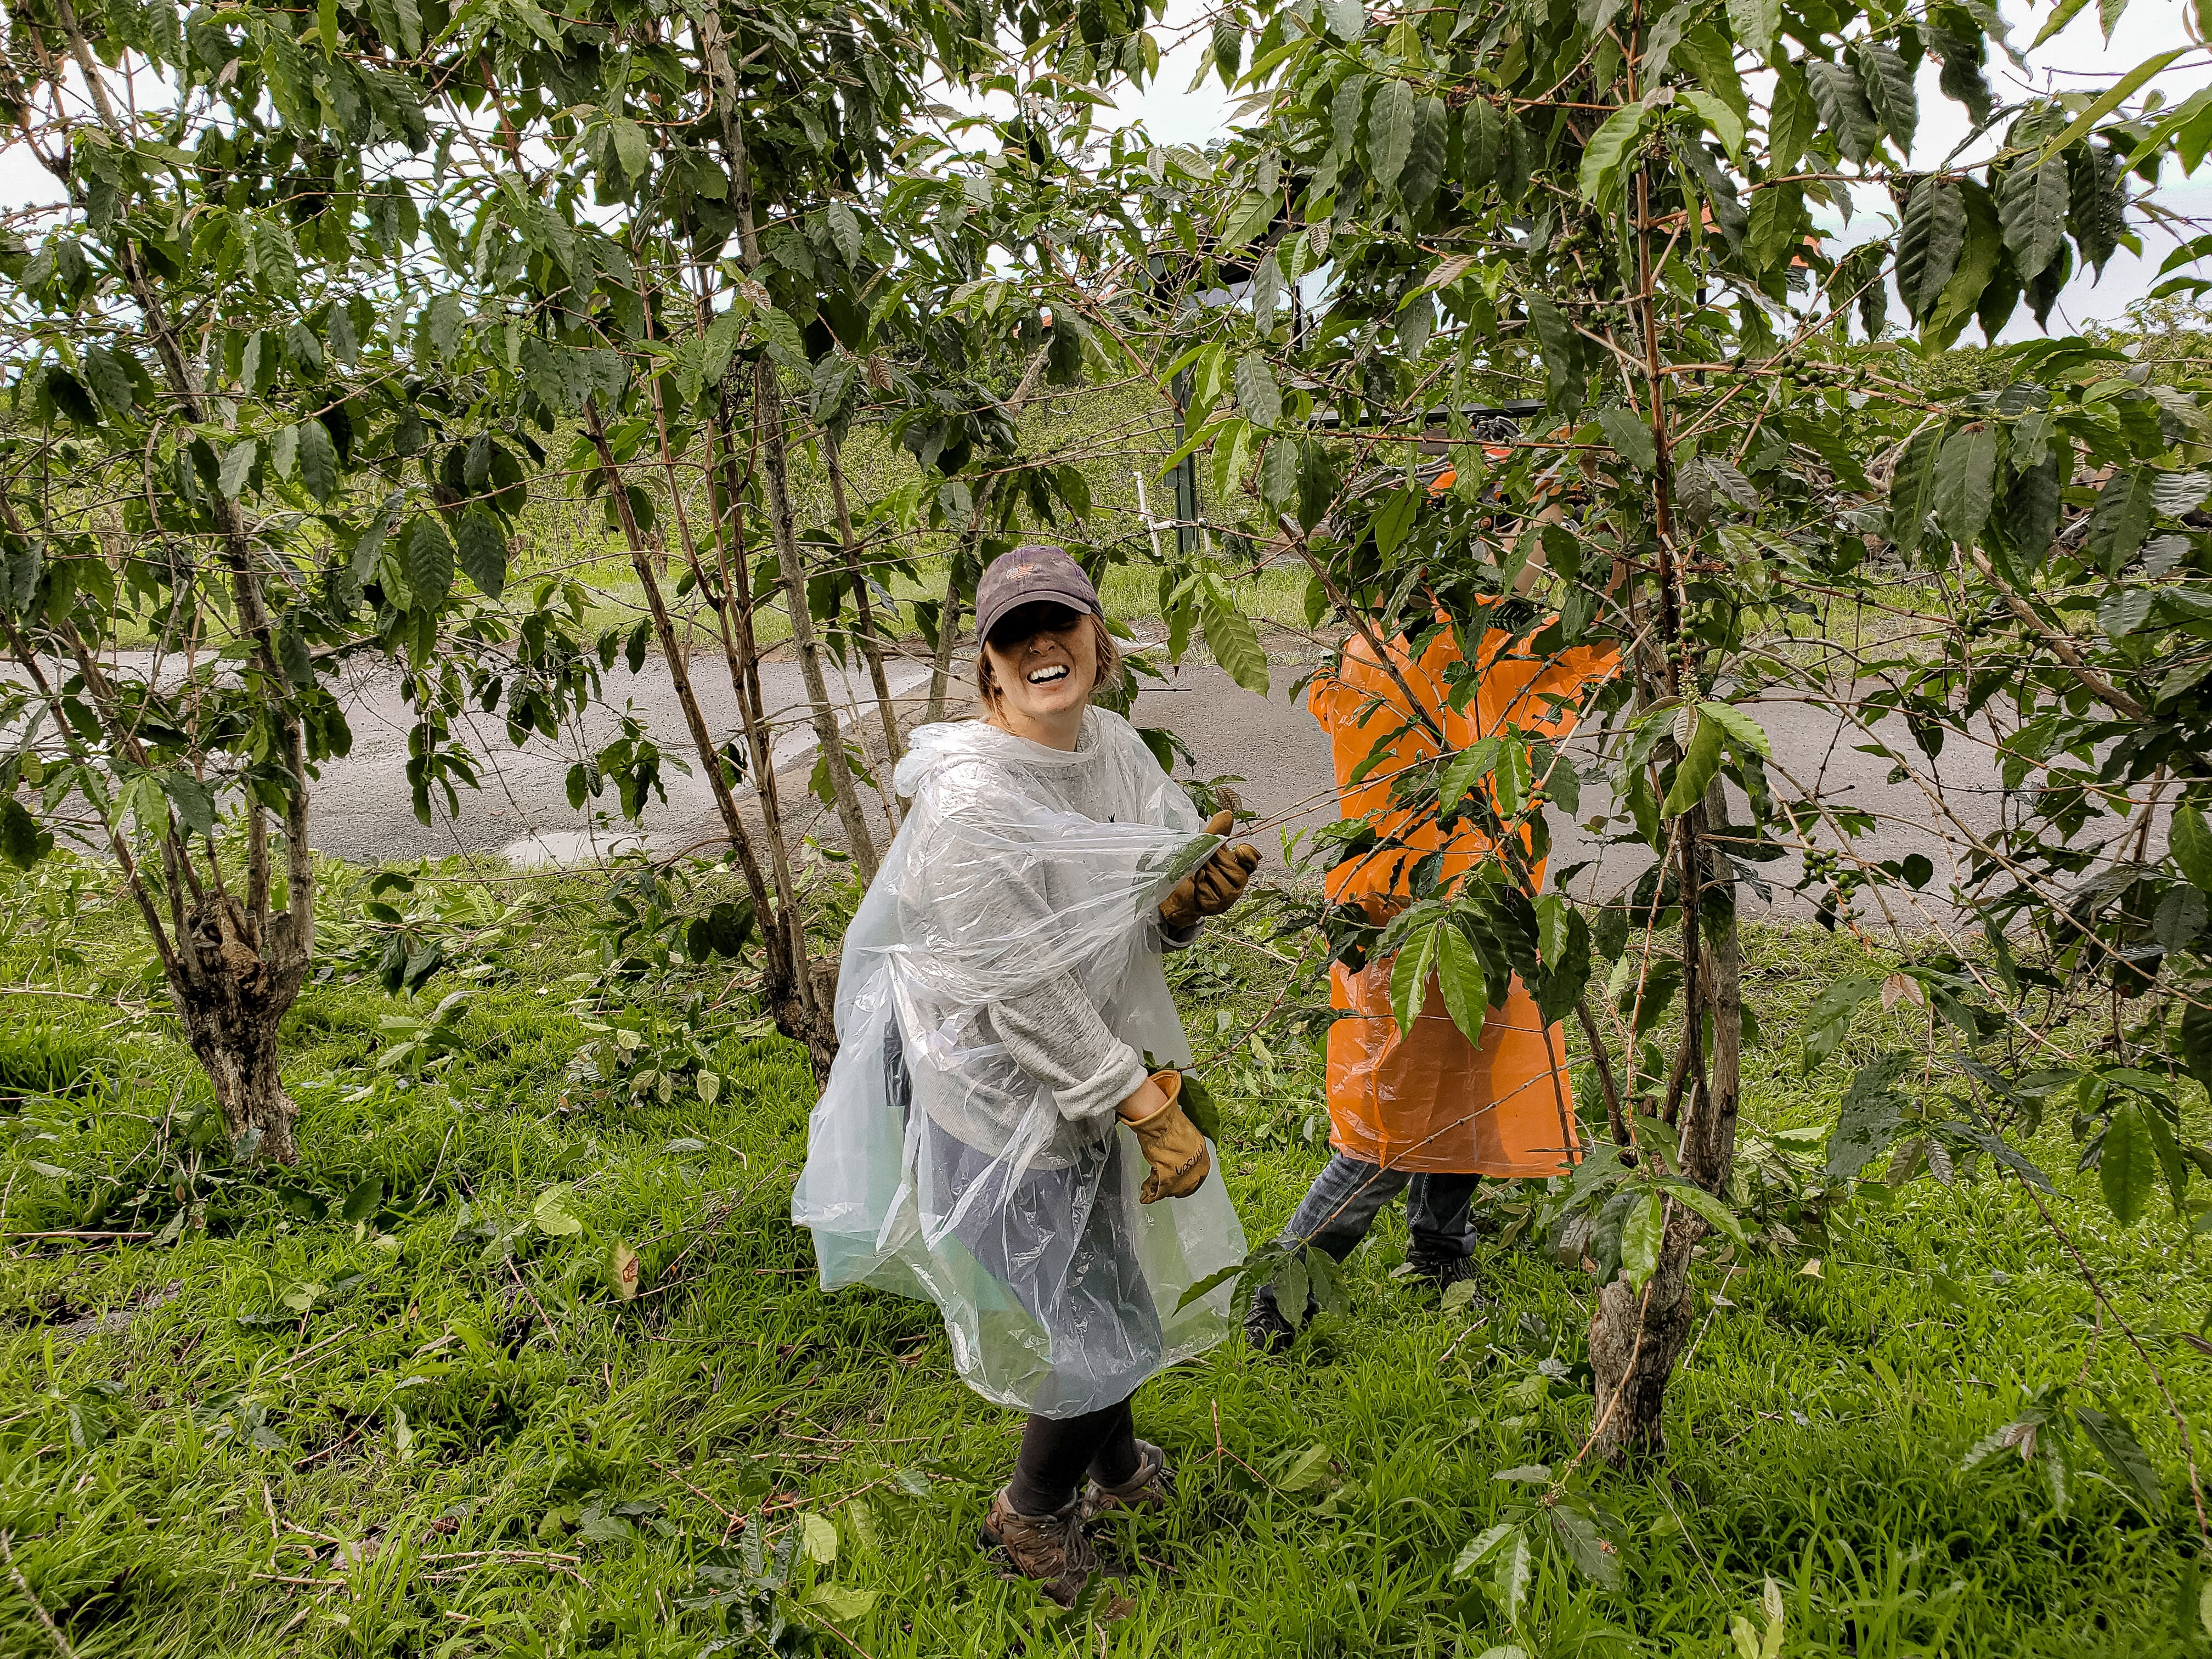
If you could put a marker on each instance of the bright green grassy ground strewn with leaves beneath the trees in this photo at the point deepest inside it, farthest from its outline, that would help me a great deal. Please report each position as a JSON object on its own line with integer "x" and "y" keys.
{"x": 432, "y": 1430}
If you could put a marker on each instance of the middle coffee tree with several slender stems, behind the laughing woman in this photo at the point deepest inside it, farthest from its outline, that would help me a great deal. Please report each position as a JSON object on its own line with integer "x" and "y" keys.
{"x": 713, "y": 244}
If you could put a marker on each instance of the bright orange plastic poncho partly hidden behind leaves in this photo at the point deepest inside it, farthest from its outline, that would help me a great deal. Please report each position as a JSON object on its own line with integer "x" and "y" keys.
{"x": 1434, "y": 1103}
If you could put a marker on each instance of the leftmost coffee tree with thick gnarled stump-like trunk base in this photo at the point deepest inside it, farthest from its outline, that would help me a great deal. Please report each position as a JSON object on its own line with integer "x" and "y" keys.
{"x": 218, "y": 479}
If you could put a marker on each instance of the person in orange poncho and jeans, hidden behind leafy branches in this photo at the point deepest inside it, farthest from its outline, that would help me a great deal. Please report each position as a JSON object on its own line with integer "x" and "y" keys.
{"x": 1428, "y": 1114}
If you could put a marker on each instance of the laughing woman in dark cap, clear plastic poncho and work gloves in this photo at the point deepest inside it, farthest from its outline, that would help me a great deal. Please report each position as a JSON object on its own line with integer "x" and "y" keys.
{"x": 992, "y": 1136}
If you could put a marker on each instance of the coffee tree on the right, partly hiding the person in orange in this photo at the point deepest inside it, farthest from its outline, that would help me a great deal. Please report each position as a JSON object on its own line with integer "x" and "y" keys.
{"x": 1611, "y": 209}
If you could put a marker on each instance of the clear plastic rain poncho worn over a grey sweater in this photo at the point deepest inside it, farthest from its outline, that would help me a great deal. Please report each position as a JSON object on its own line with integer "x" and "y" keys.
{"x": 1001, "y": 988}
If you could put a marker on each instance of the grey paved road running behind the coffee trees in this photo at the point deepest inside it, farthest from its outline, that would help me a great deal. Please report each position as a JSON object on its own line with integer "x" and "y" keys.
{"x": 1271, "y": 744}
